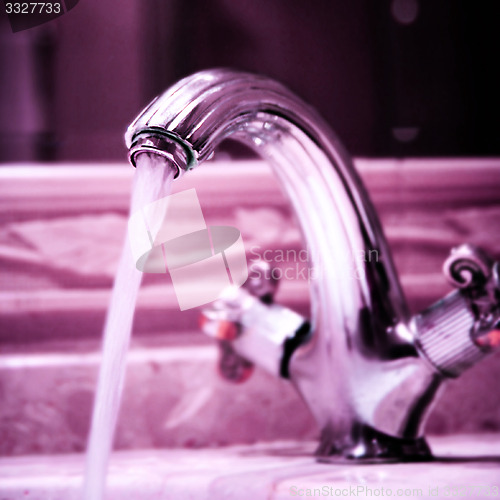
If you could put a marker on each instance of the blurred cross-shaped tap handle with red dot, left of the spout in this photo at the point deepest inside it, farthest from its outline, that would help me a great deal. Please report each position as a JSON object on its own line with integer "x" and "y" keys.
{"x": 251, "y": 328}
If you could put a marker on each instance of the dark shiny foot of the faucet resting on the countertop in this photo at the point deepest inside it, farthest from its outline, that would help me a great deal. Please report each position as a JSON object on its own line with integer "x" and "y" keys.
{"x": 369, "y": 446}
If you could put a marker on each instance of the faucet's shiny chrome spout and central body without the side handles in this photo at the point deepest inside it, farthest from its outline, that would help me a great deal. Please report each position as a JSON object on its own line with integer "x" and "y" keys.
{"x": 361, "y": 370}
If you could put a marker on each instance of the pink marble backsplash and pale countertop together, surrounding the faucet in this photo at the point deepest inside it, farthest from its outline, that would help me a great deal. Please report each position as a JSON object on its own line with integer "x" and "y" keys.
{"x": 52, "y": 312}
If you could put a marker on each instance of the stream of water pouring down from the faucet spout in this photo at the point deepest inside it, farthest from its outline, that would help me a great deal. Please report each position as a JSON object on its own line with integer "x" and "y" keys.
{"x": 152, "y": 181}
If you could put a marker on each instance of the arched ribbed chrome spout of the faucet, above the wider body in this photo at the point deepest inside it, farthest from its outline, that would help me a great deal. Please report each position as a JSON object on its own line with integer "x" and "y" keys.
{"x": 337, "y": 218}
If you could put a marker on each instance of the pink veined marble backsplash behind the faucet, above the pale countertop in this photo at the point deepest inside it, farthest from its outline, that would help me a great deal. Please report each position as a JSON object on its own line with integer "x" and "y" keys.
{"x": 61, "y": 230}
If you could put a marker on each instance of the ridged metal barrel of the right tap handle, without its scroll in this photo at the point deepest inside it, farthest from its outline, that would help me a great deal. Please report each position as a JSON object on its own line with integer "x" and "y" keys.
{"x": 444, "y": 335}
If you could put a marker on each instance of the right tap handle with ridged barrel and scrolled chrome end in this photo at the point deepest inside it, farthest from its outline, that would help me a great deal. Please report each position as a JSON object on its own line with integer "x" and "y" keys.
{"x": 461, "y": 329}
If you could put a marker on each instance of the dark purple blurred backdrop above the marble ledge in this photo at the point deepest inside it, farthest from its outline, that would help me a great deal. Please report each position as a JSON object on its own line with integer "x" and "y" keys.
{"x": 393, "y": 77}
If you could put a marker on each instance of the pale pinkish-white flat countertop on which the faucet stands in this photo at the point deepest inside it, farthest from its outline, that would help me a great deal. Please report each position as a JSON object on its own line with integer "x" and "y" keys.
{"x": 469, "y": 467}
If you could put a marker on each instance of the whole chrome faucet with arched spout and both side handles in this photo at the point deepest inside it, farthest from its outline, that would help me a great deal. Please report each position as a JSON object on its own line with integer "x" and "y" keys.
{"x": 368, "y": 371}
